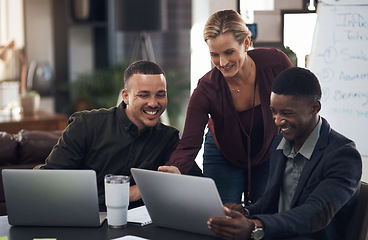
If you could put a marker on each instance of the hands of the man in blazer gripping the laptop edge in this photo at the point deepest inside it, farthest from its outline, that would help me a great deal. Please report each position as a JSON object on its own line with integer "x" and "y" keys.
{"x": 235, "y": 226}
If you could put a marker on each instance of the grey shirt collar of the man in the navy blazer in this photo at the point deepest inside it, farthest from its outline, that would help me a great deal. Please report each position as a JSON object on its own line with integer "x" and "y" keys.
{"x": 308, "y": 147}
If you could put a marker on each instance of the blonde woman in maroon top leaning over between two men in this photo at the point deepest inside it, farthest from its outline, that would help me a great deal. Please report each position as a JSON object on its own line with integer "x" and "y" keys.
{"x": 235, "y": 94}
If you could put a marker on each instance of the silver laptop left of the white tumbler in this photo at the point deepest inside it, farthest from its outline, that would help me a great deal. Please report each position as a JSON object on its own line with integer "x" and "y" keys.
{"x": 52, "y": 198}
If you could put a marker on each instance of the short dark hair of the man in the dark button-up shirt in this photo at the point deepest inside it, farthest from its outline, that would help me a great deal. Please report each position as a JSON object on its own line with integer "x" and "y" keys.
{"x": 142, "y": 67}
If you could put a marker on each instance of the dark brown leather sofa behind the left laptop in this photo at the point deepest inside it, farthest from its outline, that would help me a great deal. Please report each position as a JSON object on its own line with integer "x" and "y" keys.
{"x": 24, "y": 150}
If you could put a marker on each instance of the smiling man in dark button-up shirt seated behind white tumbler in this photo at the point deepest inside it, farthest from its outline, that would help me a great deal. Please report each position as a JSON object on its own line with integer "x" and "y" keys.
{"x": 112, "y": 141}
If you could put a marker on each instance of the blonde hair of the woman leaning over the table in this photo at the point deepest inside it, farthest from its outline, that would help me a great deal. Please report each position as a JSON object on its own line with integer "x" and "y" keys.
{"x": 226, "y": 21}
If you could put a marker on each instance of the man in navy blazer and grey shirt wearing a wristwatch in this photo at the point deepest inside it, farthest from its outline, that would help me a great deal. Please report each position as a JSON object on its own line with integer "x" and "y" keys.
{"x": 314, "y": 172}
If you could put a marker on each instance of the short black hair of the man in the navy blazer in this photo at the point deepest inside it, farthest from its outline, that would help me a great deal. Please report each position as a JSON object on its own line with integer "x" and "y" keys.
{"x": 298, "y": 82}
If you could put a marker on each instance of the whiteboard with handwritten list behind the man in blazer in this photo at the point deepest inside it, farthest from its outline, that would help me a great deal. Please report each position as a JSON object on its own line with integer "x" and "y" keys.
{"x": 339, "y": 58}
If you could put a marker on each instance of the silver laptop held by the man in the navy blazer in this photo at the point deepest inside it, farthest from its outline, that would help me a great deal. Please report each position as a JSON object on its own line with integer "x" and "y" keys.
{"x": 180, "y": 202}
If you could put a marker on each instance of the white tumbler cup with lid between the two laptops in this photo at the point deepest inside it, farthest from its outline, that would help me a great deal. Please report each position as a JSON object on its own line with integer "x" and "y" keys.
{"x": 117, "y": 199}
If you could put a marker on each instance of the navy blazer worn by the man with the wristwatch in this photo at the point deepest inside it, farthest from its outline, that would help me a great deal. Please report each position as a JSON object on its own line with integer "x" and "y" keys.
{"x": 325, "y": 195}
